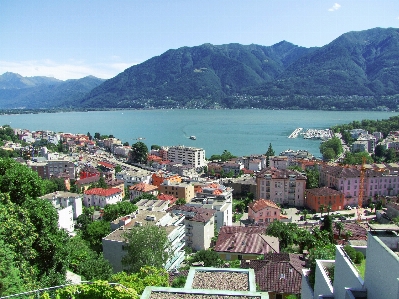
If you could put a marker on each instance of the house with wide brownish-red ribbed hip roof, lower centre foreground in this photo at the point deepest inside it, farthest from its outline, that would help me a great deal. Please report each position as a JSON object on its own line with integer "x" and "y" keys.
{"x": 244, "y": 243}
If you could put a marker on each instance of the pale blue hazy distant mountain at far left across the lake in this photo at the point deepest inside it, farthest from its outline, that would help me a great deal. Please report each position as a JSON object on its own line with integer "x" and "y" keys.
{"x": 42, "y": 92}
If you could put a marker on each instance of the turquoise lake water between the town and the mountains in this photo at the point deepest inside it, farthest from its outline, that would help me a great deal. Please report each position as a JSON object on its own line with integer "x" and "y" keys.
{"x": 242, "y": 132}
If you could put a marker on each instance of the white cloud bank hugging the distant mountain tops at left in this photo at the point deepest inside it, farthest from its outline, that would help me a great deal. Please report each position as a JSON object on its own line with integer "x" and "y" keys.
{"x": 72, "y": 69}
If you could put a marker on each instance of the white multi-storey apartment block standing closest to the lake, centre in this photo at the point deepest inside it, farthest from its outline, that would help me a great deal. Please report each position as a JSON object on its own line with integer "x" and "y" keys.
{"x": 187, "y": 155}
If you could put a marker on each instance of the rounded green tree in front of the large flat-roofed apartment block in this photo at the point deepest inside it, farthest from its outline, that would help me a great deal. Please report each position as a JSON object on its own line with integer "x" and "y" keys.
{"x": 147, "y": 245}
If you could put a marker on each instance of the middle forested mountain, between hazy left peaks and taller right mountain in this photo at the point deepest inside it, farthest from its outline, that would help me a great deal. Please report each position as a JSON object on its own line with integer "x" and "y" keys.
{"x": 195, "y": 77}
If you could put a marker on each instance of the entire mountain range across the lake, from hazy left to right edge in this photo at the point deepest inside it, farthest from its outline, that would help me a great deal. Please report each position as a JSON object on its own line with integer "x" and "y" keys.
{"x": 358, "y": 70}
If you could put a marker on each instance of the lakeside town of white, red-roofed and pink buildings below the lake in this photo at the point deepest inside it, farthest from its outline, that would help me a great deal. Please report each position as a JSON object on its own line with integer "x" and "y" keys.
{"x": 234, "y": 207}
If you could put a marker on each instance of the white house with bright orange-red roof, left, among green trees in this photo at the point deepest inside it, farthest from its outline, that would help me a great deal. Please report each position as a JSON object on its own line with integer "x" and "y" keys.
{"x": 99, "y": 197}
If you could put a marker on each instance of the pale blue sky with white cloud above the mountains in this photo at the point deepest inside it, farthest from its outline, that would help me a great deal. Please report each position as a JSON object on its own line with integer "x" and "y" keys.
{"x": 71, "y": 39}
